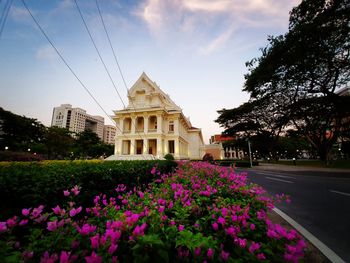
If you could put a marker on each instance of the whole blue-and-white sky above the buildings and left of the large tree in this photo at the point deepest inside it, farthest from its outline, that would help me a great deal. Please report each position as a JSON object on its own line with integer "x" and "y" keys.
{"x": 195, "y": 50}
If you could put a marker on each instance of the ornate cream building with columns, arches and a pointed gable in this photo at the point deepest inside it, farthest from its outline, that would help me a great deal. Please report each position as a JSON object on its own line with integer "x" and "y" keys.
{"x": 152, "y": 125}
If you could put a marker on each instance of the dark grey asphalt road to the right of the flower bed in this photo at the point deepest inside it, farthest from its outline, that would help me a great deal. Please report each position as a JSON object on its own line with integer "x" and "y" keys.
{"x": 320, "y": 202}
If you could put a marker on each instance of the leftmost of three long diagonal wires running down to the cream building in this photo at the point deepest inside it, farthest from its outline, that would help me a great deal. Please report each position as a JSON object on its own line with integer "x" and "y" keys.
{"x": 65, "y": 62}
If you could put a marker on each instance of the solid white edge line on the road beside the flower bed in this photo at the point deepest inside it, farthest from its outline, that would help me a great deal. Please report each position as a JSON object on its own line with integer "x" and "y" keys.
{"x": 330, "y": 254}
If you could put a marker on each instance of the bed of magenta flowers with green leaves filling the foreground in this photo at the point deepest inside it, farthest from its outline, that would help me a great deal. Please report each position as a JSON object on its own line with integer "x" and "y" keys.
{"x": 201, "y": 213}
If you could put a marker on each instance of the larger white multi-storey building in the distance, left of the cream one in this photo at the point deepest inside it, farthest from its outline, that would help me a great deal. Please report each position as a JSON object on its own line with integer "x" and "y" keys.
{"x": 77, "y": 120}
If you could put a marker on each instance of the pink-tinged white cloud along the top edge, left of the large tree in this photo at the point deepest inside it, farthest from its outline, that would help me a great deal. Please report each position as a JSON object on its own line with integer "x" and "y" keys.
{"x": 203, "y": 19}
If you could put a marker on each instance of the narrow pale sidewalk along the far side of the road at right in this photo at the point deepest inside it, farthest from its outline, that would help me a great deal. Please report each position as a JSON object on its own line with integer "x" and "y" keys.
{"x": 296, "y": 168}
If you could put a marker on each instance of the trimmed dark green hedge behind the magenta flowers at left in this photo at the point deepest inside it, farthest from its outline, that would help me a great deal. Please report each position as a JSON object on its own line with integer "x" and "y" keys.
{"x": 31, "y": 184}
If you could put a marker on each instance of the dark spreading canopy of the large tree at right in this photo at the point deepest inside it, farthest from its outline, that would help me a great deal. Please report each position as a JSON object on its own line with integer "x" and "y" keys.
{"x": 294, "y": 83}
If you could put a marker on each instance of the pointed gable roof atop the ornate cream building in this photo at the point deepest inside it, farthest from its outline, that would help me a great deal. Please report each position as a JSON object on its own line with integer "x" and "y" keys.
{"x": 145, "y": 93}
